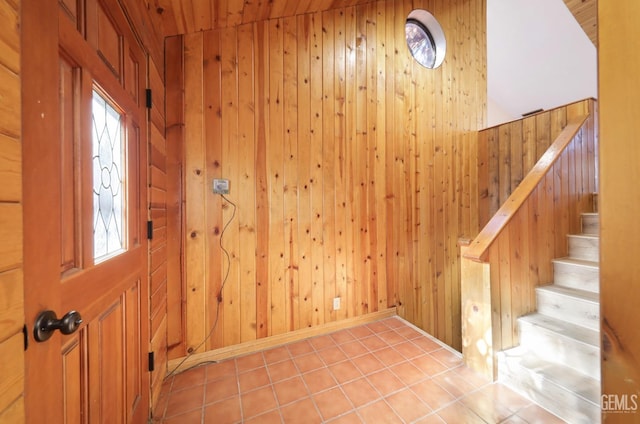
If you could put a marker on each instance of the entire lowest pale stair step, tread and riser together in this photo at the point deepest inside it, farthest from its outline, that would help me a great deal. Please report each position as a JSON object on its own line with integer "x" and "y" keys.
{"x": 571, "y": 395}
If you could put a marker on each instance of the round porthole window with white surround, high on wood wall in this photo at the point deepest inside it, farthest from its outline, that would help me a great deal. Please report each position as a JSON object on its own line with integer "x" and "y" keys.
{"x": 425, "y": 38}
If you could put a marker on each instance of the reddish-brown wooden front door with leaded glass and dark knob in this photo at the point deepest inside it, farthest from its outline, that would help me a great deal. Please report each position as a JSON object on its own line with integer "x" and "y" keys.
{"x": 84, "y": 120}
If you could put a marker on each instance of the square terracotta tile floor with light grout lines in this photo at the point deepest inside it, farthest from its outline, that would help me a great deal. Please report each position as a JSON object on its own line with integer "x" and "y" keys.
{"x": 384, "y": 372}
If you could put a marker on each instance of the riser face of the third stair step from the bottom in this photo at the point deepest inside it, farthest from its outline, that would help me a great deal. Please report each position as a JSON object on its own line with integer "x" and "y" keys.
{"x": 570, "y": 309}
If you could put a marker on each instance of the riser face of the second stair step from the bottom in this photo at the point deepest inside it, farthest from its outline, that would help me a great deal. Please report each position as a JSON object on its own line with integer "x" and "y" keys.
{"x": 567, "y": 351}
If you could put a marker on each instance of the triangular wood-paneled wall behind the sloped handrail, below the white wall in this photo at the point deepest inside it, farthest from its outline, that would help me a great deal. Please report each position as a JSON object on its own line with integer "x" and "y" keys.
{"x": 507, "y": 152}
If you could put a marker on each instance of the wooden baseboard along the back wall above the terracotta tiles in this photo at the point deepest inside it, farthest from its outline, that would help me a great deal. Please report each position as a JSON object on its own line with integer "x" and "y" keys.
{"x": 181, "y": 364}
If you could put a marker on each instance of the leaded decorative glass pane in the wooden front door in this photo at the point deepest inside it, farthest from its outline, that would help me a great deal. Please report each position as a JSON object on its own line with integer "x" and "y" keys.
{"x": 108, "y": 180}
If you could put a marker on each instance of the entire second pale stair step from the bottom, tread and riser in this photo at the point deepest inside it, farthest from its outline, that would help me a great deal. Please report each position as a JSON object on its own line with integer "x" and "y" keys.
{"x": 556, "y": 340}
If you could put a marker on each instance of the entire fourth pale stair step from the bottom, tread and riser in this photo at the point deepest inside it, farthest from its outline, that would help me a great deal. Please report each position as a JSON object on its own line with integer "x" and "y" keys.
{"x": 577, "y": 273}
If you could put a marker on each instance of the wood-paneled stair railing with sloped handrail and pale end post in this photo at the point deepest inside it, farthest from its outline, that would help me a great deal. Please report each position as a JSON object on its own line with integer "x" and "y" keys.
{"x": 512, "y": 254}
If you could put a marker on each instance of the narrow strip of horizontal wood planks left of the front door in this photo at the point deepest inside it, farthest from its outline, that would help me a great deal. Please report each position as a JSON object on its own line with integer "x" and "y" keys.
{"x": 11, "y": 269}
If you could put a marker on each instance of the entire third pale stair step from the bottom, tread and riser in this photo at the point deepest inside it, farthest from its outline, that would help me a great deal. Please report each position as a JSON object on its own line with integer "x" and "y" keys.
{"x": 579, "y": 307}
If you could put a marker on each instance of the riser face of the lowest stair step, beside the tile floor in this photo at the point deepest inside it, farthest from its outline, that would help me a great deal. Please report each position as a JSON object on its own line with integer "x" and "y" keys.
{"x": 556, "y": 399}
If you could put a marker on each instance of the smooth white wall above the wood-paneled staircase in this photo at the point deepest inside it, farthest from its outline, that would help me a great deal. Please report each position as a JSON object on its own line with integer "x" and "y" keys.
{"x": 538, "y": 57}
